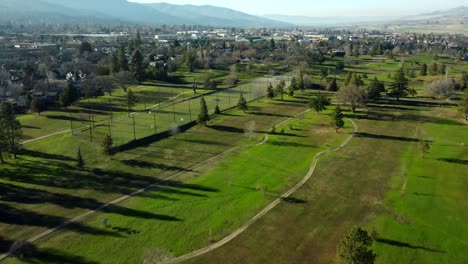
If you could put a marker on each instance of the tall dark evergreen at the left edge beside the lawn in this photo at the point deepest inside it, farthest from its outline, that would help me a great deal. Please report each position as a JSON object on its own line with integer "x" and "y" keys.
{"x": 10, "y": 129}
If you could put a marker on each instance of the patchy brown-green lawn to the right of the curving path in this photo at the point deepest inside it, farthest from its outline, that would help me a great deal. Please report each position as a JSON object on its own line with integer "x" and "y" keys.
{"x": 417, "y": 206}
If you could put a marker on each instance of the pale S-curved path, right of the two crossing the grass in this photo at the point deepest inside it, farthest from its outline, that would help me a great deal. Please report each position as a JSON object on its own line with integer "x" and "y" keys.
{"x": 272, "y": 205}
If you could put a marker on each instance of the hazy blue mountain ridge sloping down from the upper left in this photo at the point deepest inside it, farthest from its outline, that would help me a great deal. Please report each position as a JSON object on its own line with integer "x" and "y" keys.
{"x": 89, "y": 11}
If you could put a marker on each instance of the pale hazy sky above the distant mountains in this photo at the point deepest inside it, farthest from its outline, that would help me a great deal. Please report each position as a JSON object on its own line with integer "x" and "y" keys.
{"x": 327, "y": 8}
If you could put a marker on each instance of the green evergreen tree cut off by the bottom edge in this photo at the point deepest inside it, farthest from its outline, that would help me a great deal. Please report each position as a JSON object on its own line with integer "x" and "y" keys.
{"x": 356, "y": 248}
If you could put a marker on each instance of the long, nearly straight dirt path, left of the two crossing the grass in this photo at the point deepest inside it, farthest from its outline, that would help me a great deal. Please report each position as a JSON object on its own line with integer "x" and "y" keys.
{"x": 125, "y": 197}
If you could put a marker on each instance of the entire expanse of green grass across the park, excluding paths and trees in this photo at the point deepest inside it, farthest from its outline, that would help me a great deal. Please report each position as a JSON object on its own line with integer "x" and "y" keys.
{"x": 416, "y": 205}
